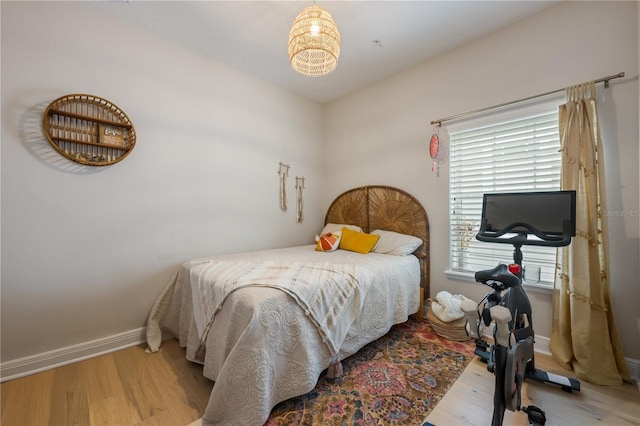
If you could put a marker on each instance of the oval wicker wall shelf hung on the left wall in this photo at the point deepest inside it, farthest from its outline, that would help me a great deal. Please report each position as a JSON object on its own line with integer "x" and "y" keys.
{"x": 88, "y": 130}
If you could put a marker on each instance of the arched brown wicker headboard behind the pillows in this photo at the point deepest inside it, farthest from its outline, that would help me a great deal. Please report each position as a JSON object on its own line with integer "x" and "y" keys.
{"x": 384, "y": 207}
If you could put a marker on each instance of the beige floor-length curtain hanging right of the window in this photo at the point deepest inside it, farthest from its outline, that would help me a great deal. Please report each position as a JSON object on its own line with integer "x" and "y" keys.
{"x": 584, "y": 337}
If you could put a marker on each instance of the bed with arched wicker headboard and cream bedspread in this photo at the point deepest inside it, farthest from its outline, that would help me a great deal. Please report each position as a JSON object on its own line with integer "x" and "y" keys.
{"x": 263, "y": 344}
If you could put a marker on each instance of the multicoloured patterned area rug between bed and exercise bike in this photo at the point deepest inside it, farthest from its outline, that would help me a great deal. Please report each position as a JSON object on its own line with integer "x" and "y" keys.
{"x": 396, "y": 380}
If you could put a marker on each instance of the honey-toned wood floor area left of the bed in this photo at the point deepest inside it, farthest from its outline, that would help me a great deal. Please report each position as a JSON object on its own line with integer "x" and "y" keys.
{"x": 127, "y": 387}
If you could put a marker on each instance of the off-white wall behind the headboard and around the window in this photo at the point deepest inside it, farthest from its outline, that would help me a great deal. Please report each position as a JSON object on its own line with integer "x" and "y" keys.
{"x": 380, "y": 134}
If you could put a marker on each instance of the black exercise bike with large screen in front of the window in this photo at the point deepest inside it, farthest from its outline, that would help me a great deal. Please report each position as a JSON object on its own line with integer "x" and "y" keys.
{"x": 534, "y": 218}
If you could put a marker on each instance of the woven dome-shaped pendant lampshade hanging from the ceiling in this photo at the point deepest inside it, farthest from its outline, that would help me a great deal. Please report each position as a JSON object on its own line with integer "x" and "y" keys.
{"x": 314, "y": 42}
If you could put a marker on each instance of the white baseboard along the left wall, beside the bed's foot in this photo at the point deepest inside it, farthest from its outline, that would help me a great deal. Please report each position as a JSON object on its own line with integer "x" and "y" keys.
{"x": 36, "y": 363}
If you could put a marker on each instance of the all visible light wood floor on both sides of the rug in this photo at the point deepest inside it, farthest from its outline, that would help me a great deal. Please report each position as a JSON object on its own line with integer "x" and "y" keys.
{"x": 131, "y": 387}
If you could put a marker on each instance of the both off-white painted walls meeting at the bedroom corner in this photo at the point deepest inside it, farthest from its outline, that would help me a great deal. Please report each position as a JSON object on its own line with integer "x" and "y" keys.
{"x": 85, "y": 251}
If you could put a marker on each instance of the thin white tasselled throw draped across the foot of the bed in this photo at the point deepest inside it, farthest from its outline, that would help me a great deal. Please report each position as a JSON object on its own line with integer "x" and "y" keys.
{"x": 330, "y": 294}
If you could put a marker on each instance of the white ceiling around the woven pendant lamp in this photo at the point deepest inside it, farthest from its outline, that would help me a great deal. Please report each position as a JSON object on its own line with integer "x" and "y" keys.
{"x": 378, "y": 38}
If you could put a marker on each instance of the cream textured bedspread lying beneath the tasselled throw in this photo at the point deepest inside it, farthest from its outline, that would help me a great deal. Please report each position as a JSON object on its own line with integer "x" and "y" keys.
{"x": 261, "y": 348}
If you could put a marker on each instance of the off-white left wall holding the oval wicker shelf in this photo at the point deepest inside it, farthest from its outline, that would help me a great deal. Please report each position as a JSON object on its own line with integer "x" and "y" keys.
{"x": 86, "y": 250}
